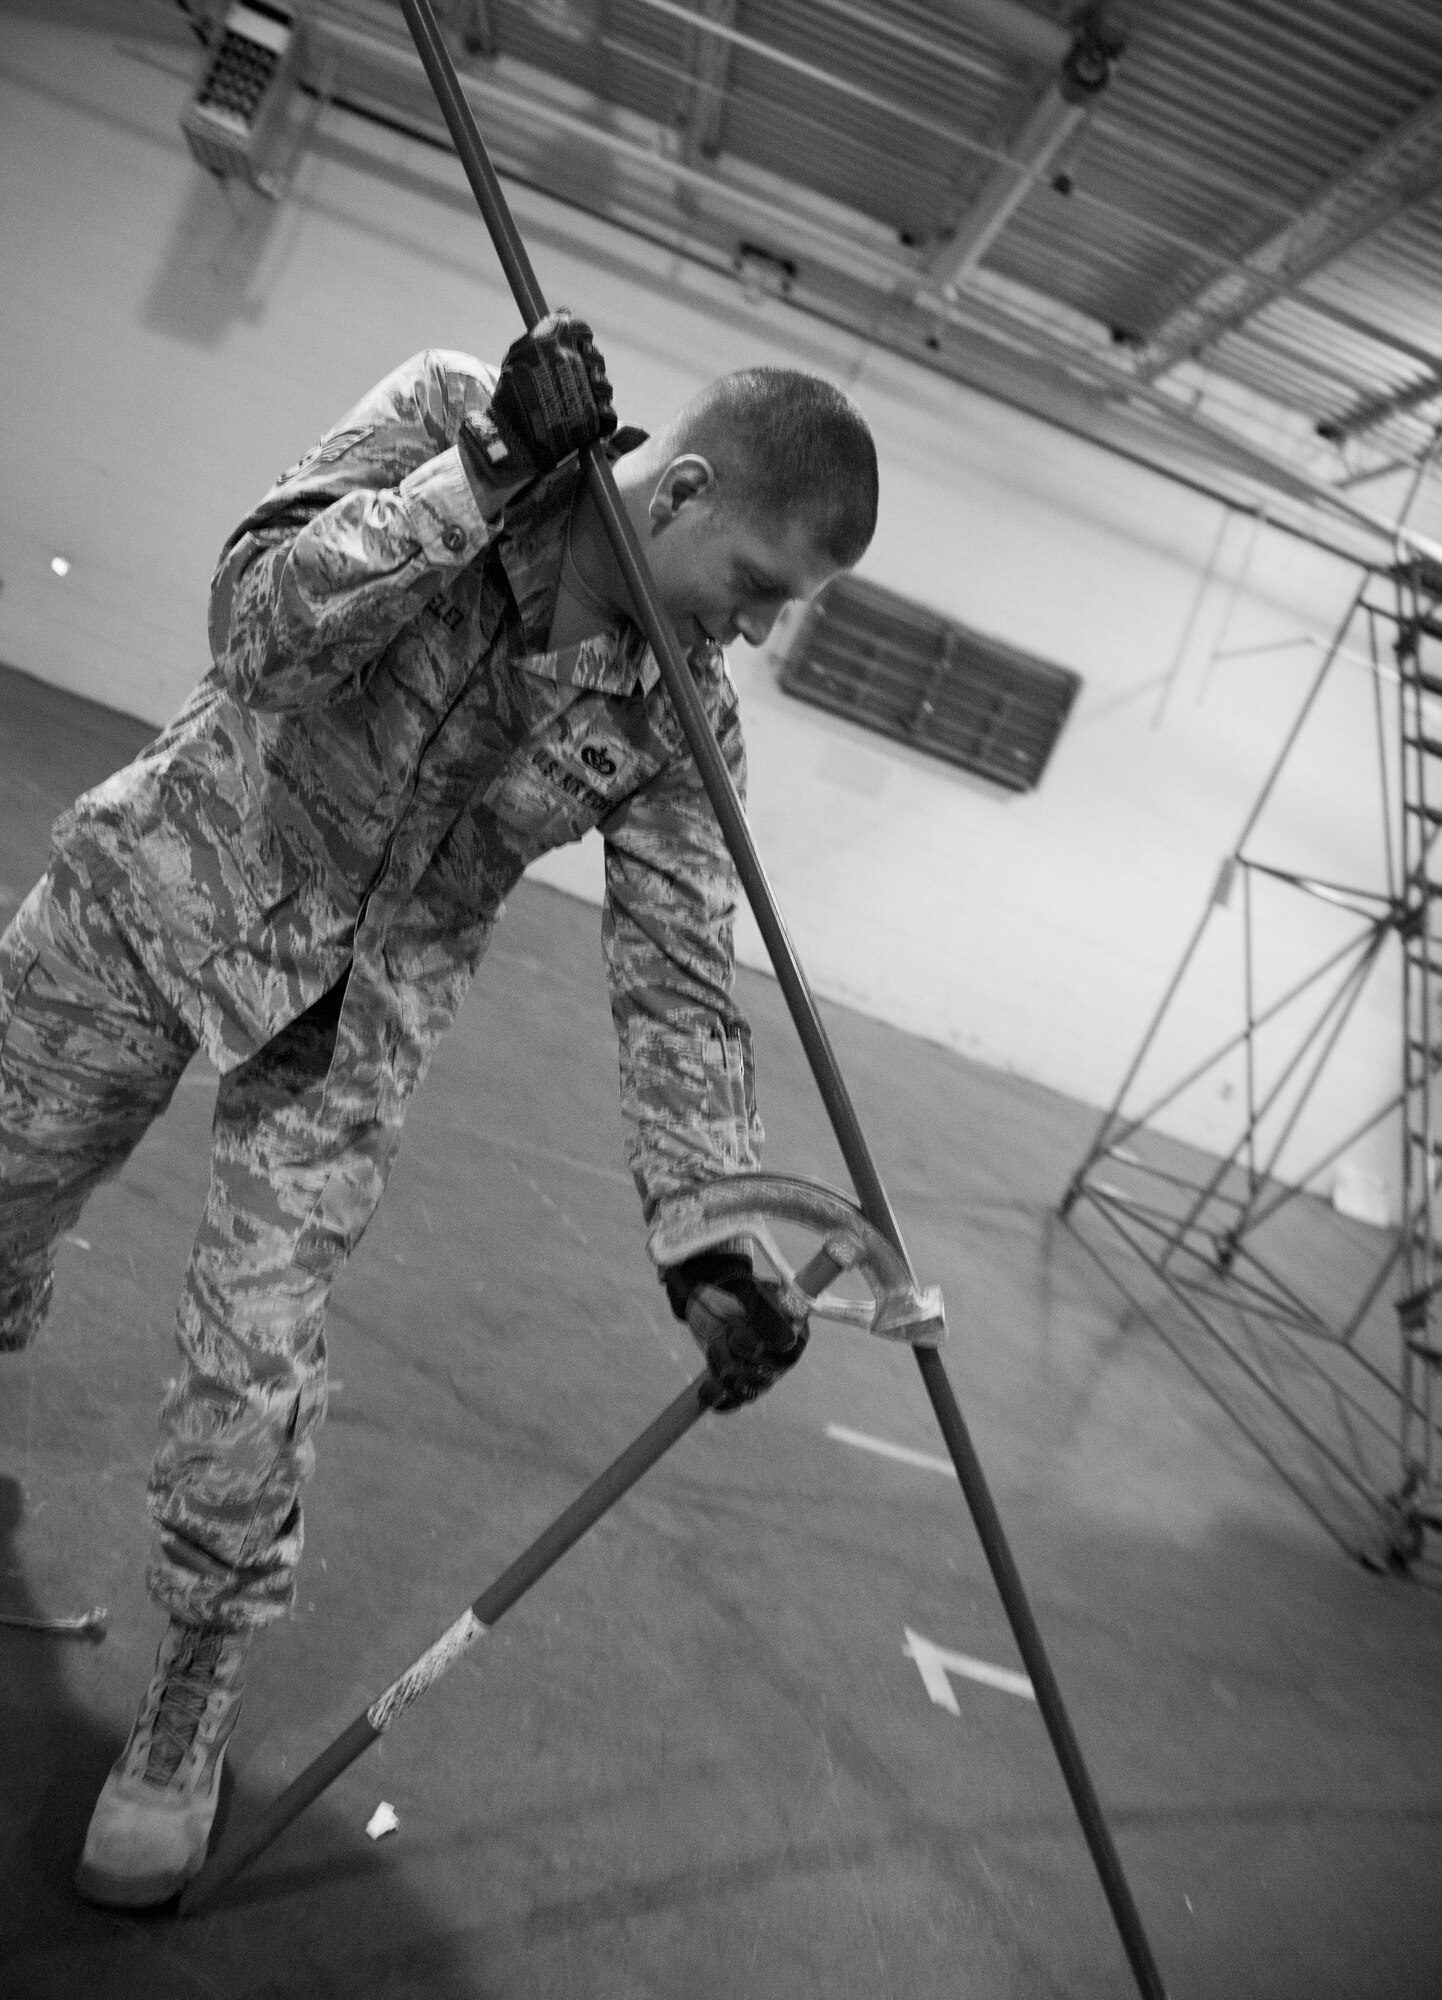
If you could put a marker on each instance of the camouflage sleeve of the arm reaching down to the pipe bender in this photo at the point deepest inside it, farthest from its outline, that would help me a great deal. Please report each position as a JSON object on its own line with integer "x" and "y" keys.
{"x": 687, "y": 1067}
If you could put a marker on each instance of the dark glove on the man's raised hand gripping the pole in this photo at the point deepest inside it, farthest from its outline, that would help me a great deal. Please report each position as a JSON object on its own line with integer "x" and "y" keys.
{"x": 551, "y": 401}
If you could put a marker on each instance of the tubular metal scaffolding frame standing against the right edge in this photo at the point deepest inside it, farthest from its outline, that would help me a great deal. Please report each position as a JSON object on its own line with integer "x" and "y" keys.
{"x": 1271, "y": 1299}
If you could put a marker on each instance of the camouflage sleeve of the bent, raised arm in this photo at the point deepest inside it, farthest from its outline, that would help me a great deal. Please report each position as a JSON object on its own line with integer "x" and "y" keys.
{"x": 353, "y": 541}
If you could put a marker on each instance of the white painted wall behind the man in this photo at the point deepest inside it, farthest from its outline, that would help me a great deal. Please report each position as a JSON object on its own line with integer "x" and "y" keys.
{"x": 167, "y": 349}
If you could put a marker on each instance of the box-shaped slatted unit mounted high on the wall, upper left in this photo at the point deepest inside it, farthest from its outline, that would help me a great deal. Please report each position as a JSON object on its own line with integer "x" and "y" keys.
{"x": 243, "y": 91}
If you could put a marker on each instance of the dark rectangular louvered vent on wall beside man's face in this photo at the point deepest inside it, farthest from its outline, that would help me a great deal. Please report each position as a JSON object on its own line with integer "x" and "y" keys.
{"x": 931, "y": 683}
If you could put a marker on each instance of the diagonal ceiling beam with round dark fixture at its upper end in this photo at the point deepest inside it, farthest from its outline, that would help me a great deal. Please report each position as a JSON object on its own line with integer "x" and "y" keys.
{"x": 1053, "y": 119}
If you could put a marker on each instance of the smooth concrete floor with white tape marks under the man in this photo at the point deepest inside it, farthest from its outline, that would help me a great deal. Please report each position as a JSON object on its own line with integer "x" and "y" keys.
{"x": 697, "y": 1759}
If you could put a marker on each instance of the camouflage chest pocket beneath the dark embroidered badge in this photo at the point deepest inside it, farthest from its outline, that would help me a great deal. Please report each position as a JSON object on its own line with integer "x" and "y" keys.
{"x": 571, "y": 771}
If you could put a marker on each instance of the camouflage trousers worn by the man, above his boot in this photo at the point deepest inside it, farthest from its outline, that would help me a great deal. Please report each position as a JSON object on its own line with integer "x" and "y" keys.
{"x": 91, "y": 1055}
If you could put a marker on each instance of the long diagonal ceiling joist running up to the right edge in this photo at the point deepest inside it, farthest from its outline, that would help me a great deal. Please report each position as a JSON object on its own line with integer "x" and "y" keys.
{"x": 1397, "y": 173}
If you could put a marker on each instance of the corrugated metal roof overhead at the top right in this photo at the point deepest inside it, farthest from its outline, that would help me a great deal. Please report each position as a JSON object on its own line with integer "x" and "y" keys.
{"x": 1217, "y": 149}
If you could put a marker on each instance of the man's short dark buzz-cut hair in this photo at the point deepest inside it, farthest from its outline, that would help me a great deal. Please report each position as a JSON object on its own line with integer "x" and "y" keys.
{"x": 787, "y": 445}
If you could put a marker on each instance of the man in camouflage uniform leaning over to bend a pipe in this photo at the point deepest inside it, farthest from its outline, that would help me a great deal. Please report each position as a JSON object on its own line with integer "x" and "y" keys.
{"x": 425, "y": 675}
